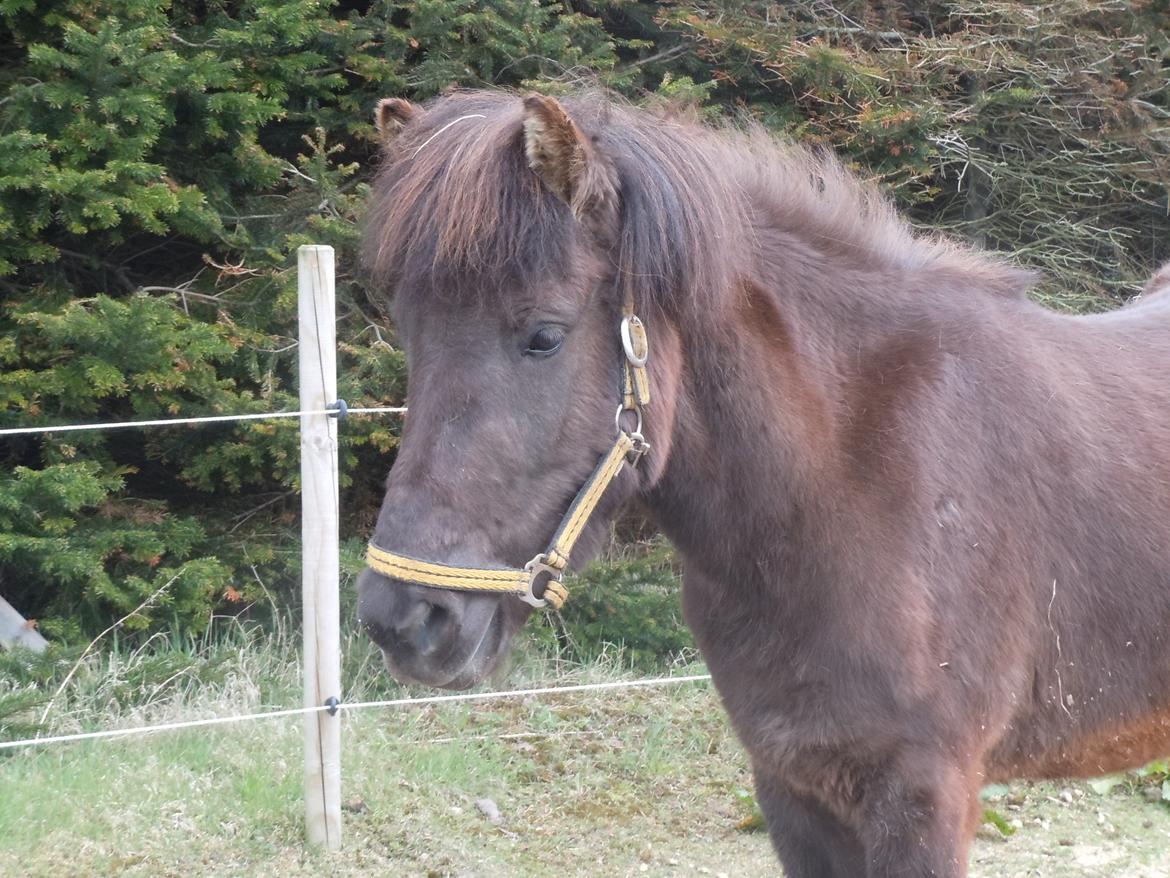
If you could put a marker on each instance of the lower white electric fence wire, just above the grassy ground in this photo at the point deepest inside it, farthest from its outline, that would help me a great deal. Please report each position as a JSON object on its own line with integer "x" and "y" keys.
{"x": 356, "y": 706}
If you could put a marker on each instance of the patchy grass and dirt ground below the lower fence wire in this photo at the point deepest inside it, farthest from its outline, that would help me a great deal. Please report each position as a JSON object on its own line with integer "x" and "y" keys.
{"x": 618, "y": 784}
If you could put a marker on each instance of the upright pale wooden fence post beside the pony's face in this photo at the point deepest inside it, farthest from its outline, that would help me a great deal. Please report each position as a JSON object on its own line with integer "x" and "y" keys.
{"x": 316, "y": 317}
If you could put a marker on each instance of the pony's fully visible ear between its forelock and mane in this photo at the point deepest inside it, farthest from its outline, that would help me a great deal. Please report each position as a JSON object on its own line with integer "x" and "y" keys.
{"x": 568, "y": 163}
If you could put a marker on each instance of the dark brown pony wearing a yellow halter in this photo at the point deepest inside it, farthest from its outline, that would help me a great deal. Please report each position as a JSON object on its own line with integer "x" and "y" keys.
{"x": 926, "y": 523}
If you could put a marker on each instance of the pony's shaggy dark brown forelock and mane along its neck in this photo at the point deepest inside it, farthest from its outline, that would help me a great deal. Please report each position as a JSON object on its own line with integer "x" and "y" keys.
{"x": 456, "y": 207}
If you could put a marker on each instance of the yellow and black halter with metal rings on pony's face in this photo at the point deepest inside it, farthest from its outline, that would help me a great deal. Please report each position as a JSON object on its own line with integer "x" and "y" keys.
{"x": 550, "y": 565}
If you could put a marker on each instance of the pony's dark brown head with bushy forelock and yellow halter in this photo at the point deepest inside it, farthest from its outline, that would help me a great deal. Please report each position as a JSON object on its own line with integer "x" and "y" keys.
{"x": 510, "y": 236}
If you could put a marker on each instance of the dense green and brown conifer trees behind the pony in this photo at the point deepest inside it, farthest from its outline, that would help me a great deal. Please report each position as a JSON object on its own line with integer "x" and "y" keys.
{"x": 163, "y": 161}
